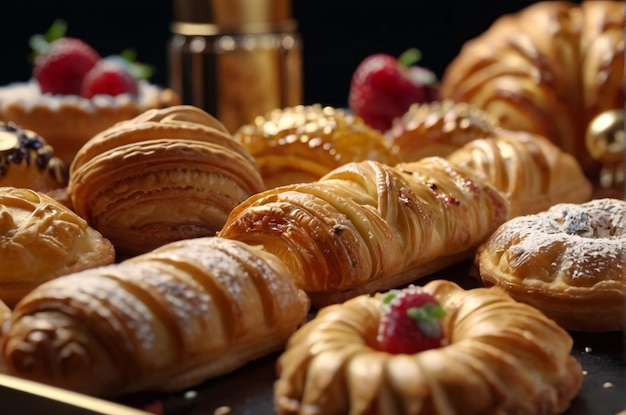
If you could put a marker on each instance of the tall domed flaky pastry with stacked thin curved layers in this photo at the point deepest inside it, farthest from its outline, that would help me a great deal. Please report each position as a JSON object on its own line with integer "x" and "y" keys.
{"x": 165, "y": 175}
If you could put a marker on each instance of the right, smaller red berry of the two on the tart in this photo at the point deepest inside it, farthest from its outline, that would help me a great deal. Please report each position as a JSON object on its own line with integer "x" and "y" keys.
{"x": 110, "y": 78}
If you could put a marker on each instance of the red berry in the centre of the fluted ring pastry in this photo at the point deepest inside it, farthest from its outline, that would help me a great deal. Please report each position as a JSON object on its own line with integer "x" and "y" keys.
{"x": 411, "y": 322}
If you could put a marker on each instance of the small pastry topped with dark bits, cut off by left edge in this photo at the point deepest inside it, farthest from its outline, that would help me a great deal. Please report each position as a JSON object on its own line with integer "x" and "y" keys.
{"x": 27, "y": 160}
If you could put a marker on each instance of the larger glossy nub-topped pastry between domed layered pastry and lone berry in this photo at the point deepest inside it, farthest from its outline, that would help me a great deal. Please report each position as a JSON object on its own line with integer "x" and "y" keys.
{"x": 300, "y": 144}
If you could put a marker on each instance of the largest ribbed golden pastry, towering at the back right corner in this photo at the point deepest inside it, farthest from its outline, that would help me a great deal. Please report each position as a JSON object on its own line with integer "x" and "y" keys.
{"x": 548, "y": 69}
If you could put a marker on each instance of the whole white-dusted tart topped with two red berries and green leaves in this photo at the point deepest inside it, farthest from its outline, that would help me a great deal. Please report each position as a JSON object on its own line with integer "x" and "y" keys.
{"x": 75, "y": 93}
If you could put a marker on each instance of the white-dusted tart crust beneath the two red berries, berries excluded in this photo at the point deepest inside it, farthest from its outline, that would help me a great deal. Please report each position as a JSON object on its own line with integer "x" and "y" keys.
{"x": 68, "y": 121}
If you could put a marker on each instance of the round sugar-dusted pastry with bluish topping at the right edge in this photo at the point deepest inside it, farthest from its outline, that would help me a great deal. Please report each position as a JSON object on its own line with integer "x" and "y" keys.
{"x": 568, "y": 261}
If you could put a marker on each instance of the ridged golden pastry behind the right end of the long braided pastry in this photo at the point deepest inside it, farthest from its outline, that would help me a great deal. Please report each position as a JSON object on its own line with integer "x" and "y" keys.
{"x": 533, "y": 172}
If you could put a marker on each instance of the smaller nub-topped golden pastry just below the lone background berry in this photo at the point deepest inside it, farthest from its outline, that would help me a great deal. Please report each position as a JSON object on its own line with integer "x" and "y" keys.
{"x": 438, "y": 129}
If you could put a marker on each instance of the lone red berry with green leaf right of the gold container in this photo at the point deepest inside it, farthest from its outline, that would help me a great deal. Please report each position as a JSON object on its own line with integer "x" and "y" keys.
{"x": 384, "y": 87}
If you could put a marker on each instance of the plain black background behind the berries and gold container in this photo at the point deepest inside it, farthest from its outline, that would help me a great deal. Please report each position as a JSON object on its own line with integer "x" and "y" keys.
{"x": 337, "y": 34}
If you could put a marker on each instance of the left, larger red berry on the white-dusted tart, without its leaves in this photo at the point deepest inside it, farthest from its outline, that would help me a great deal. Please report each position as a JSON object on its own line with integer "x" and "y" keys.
{"x": 61, "y": 68}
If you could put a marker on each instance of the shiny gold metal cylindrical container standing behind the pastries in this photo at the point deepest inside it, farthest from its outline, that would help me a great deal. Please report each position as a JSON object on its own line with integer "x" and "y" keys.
{"x": 235, "y": 59}
